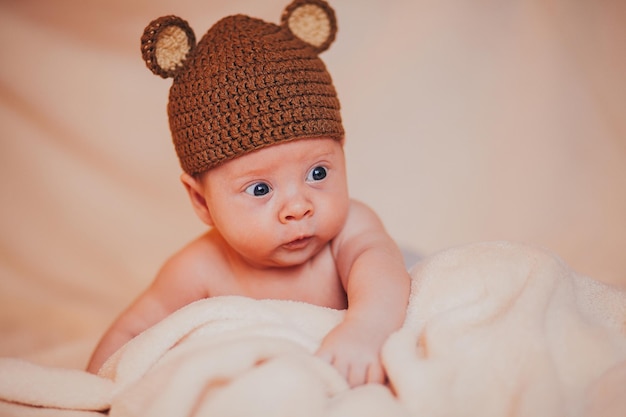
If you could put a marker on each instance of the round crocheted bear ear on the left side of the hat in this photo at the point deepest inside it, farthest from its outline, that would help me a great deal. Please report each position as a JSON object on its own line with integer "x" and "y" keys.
{"x": 166, "y": 44}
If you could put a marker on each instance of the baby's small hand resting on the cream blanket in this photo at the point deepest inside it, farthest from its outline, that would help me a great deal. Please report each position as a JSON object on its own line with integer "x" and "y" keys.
{"x": 353, "y": 348}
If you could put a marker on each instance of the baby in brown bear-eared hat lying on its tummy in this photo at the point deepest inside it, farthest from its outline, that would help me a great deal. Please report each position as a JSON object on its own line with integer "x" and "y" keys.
{"x": 256, "y": 125}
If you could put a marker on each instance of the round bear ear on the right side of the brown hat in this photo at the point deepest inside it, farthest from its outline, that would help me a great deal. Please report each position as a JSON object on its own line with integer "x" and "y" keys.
{"x": 311, "y": 21}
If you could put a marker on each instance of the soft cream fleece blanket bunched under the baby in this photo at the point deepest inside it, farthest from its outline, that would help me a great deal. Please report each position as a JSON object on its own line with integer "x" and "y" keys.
{"x": 492, "y": 329}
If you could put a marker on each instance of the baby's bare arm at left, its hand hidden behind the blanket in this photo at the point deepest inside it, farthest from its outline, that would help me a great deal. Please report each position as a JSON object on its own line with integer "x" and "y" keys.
{"x": 175, "y": 286}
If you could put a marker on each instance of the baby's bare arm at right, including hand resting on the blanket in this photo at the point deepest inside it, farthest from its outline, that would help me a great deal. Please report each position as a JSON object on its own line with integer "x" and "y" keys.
{"x": 377, "y": 284}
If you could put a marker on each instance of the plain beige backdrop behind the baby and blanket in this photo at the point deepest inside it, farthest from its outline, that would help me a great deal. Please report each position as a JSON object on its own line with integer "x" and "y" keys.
{"x": 466, "y": 121}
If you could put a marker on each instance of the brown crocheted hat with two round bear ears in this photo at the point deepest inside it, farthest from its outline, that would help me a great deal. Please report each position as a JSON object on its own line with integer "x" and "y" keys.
{"x": 247, "y": 84}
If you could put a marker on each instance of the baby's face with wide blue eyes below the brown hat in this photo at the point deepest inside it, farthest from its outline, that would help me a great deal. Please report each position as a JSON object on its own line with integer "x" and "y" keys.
{"x": 280, "y": 205}
